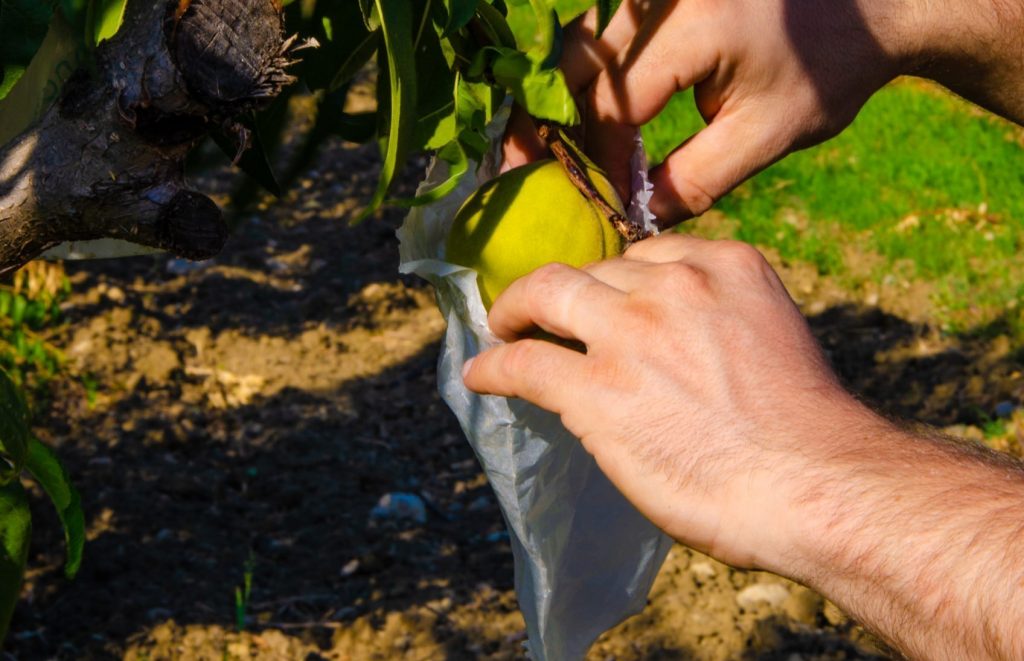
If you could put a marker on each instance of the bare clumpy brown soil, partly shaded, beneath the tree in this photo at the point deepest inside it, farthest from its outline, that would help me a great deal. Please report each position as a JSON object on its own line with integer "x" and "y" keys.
{"x": 244, "y": 416}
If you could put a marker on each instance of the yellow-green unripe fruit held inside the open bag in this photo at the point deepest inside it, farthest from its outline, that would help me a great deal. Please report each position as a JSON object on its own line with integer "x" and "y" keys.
{"x": 528, "y": 217}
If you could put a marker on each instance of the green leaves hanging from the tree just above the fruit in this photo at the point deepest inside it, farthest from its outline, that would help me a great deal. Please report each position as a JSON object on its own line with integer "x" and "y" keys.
{"x": 444, "y": 68}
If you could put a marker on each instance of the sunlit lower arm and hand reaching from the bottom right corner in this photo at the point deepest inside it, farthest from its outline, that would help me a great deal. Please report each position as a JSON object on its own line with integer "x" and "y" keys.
{"x": 707, "y": 402}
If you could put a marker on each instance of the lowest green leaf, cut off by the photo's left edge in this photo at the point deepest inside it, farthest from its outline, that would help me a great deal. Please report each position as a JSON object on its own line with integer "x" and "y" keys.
{"x": 16, "y": 533}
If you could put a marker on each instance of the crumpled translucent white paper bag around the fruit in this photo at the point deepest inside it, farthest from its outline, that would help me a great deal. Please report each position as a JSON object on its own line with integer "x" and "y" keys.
{"x": 585, "y": 558}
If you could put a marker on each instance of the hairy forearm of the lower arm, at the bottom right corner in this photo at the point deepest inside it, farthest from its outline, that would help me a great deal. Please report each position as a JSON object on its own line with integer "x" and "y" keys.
{"x": 920, "y": 539}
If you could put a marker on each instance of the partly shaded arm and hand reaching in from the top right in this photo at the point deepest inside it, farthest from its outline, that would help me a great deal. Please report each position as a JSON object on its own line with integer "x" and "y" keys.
{"x": 771, "y": 77}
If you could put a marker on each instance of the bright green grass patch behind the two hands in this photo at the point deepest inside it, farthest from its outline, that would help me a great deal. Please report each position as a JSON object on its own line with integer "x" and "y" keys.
{"x": 922, "y": 179}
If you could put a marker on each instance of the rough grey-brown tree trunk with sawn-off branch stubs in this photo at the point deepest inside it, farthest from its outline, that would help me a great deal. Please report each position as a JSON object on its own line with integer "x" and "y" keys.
{"x": 107, "y": 161}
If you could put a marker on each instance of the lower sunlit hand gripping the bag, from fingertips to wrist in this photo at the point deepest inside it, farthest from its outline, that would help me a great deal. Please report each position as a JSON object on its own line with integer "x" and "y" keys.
{"x": 702, "y": 395}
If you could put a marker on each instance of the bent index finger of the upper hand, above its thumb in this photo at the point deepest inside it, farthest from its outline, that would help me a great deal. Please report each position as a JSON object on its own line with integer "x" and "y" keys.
{"x": 661, "y": 61}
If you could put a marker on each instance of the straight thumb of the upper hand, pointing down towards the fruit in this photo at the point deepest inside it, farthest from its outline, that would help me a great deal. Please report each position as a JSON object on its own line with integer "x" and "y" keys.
{"x": 734, "y": 148}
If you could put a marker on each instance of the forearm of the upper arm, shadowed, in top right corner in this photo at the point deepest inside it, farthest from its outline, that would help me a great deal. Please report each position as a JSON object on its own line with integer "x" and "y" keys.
{"x": 974, "y": 49}
